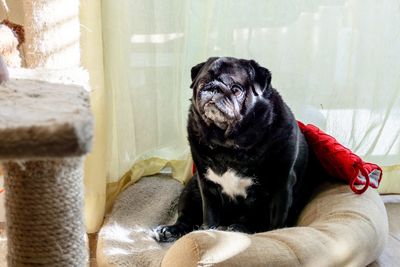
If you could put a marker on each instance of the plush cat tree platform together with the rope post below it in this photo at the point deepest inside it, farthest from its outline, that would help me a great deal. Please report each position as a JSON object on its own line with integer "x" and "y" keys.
{"x": 45, "y": 129}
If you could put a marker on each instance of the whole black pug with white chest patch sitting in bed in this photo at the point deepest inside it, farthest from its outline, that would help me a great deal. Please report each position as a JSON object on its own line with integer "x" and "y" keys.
{"x": 253, "y": 163}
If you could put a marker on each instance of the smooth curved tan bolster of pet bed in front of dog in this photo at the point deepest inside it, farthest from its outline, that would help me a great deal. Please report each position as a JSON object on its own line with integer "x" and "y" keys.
{"x": 337, "y": 228}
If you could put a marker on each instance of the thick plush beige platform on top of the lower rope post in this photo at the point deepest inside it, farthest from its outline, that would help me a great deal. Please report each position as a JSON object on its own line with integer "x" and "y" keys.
{"x": 40, "y": 120}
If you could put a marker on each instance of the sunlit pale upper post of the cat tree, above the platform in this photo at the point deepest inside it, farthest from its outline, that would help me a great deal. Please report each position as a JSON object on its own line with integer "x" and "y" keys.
{"x": 52, "y": 33}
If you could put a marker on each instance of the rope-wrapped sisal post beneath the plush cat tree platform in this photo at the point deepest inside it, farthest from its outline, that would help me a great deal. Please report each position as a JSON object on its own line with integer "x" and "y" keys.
{"x": 44, "y": 201}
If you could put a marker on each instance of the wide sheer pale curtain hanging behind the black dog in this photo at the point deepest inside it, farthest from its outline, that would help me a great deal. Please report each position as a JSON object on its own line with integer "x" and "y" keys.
{"x": 336, "y": 63}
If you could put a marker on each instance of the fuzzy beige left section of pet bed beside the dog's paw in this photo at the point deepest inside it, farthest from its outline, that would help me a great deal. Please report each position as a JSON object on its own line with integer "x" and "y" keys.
{"x": 126, "y": 237}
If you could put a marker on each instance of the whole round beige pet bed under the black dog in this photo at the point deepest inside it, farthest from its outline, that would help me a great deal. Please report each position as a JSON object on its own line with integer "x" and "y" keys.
{"x": 337, "y": 228}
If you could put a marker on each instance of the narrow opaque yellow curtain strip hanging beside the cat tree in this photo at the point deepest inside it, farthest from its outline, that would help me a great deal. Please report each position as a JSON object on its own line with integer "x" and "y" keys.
{"x": 95, "y": 164}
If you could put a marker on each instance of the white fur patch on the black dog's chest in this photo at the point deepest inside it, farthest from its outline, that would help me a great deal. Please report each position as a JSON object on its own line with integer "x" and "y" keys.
{"x": 232, "y": 184}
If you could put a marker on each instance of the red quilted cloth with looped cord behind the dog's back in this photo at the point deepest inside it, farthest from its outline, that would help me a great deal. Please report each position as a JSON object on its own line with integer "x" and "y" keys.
{"x": 339, "y": 161}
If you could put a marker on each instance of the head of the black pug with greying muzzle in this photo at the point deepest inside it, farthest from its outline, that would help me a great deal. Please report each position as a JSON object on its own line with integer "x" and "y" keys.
{"x": 225, "y": 89}
